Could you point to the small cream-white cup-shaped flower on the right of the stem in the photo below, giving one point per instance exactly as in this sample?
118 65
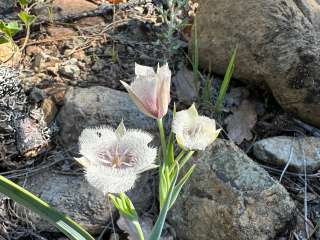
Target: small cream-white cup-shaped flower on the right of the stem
194 132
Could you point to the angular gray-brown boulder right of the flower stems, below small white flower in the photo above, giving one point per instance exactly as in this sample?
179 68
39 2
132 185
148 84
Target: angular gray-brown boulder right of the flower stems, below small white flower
229 197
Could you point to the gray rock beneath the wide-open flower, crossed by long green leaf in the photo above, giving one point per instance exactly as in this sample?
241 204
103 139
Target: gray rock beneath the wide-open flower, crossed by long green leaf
73 196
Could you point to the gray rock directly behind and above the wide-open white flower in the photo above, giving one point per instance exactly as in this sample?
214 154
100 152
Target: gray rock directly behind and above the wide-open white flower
95 106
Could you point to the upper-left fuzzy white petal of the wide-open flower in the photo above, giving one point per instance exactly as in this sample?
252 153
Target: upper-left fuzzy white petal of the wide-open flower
91 140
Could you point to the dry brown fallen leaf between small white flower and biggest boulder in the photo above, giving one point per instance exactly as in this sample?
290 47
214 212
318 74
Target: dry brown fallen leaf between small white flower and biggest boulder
240 123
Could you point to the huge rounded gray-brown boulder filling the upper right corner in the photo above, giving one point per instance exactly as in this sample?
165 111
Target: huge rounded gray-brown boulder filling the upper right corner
278 47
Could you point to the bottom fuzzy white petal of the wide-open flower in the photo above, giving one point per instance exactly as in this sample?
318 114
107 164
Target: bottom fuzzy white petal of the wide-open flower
110 180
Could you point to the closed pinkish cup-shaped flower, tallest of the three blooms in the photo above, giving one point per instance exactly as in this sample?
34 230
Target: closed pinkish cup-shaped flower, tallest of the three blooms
150 90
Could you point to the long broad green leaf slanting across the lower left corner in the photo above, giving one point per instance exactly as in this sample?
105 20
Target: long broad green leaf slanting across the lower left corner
70 228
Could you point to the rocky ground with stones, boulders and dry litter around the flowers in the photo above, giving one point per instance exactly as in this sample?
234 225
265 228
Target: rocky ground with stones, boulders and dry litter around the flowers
260 181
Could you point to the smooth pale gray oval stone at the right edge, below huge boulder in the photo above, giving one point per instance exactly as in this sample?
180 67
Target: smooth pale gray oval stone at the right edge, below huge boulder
301 152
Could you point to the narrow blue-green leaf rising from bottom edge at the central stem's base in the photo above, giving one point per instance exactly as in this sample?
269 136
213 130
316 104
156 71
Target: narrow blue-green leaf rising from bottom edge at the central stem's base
157 228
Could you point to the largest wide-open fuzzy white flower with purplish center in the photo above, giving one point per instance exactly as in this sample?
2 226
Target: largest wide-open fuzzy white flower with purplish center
113 159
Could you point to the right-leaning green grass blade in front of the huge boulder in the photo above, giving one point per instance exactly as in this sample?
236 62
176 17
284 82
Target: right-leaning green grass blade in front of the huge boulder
225 82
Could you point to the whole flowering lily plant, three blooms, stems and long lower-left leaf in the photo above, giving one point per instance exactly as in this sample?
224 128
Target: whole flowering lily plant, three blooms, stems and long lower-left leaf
113 159
